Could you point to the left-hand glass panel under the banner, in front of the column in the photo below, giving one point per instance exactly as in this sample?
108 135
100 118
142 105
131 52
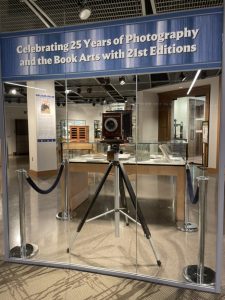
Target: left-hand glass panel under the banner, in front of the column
31 116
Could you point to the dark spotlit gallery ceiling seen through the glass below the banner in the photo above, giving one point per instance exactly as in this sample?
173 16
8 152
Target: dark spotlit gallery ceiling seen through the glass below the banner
105 90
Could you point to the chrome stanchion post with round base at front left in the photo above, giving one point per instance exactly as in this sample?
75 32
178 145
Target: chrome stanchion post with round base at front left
24 250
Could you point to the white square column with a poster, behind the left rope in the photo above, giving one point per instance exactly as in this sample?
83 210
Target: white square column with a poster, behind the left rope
42 126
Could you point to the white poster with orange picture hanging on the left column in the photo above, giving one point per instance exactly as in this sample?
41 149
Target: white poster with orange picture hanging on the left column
46 131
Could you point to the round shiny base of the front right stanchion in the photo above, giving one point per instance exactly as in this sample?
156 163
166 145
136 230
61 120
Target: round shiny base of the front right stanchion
191 274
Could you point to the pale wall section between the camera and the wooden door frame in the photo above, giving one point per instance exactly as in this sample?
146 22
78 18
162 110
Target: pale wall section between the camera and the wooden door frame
147 119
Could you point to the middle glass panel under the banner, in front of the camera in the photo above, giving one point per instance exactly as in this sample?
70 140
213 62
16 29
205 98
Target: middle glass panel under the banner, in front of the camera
101 113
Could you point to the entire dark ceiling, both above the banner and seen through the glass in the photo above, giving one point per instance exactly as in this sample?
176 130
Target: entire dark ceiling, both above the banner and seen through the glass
16 15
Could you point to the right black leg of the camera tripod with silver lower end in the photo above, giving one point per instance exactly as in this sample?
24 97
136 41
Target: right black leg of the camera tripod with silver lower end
139 212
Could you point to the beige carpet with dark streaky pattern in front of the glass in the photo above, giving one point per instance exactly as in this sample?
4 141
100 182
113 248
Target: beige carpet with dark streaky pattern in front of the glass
22 282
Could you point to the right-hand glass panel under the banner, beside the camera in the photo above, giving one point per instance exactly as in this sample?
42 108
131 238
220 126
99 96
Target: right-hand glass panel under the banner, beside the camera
174 135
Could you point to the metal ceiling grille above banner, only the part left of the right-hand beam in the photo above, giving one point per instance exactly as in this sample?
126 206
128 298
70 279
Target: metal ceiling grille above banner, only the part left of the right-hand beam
15 15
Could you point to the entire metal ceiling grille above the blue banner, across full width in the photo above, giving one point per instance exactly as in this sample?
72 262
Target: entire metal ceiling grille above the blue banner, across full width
15 15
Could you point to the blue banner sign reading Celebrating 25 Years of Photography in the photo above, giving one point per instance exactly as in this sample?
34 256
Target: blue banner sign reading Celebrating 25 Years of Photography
150 44
